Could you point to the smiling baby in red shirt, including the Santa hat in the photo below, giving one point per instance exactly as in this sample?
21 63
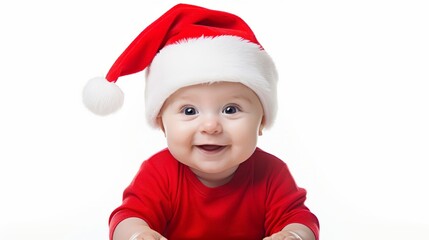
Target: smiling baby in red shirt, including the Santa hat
211 89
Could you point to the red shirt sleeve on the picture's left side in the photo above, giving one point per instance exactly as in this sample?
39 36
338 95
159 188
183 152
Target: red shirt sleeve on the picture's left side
146 198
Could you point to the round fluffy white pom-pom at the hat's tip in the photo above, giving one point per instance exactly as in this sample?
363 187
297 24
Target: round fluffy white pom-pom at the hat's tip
102 97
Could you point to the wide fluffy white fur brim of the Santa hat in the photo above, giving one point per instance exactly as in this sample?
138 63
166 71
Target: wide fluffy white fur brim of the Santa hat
210 60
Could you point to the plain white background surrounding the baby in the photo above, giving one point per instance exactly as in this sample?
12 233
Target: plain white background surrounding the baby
352 125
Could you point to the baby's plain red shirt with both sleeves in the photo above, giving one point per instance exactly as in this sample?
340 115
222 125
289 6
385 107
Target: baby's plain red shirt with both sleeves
260 200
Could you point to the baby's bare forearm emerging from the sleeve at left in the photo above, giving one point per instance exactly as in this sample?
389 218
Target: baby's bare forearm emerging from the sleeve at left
135 229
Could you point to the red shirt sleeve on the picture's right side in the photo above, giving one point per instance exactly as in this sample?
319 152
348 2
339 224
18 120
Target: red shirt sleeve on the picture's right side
285 202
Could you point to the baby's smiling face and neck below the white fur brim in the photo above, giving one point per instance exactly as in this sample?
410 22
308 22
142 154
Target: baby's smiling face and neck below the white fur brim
212 128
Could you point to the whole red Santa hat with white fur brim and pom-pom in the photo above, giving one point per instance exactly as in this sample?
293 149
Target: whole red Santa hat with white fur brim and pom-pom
188 45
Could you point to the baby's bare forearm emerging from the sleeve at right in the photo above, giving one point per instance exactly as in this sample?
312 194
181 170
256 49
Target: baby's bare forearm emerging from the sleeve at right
293 231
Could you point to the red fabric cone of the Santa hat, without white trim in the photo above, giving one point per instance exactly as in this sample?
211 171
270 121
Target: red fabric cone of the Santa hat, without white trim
183 21
